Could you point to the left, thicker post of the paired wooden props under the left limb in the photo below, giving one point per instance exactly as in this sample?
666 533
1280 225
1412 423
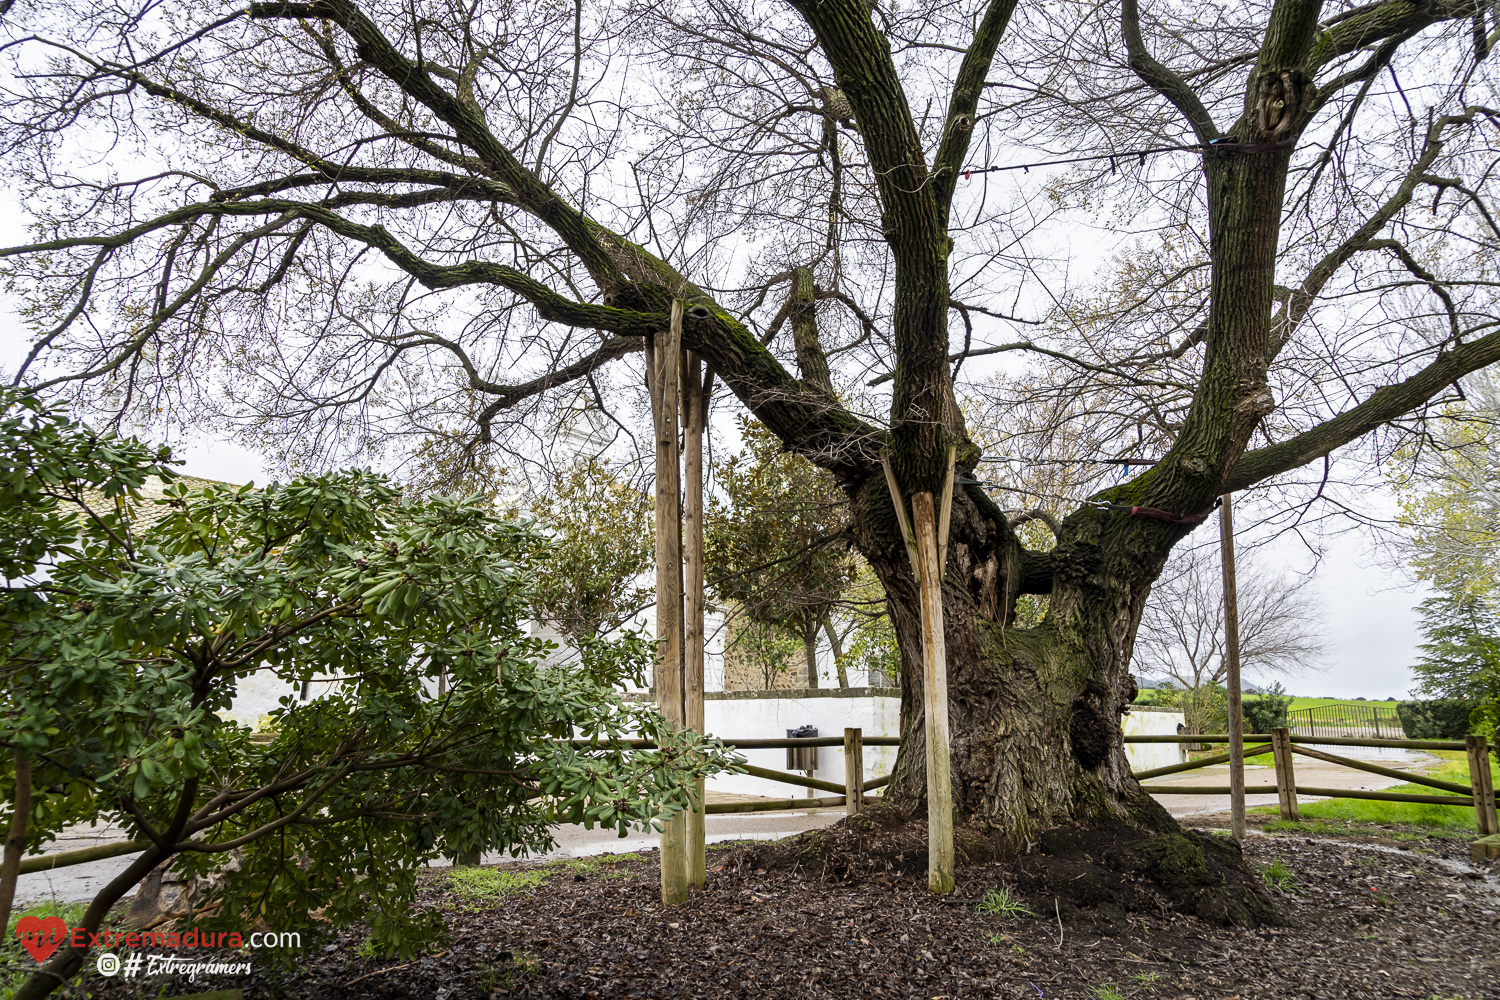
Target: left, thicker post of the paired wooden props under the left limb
664 361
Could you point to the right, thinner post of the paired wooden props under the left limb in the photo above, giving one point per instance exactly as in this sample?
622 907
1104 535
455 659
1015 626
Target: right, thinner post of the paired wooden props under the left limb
694 422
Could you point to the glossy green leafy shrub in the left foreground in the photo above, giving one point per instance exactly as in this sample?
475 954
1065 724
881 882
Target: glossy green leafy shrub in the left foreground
131 620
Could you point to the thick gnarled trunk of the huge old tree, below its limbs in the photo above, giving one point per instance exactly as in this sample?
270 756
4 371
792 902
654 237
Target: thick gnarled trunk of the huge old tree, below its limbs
1034 713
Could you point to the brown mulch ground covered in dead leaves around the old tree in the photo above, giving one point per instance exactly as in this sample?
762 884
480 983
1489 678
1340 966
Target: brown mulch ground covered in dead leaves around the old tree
1364 918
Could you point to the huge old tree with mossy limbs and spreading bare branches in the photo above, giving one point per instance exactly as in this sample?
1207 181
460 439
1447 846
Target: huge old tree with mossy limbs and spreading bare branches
352 223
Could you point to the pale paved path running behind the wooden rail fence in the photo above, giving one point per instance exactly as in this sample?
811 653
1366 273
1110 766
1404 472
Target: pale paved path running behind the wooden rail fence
80 882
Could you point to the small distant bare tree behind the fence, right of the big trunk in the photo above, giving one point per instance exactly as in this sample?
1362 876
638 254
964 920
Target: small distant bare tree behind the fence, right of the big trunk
1183 630
